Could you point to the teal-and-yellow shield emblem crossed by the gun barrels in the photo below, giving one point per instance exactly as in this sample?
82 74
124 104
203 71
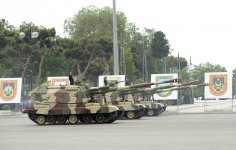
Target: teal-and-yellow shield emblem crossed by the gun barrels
164 78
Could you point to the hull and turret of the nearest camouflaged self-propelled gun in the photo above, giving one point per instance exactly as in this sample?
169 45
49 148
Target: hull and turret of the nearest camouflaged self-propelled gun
59 104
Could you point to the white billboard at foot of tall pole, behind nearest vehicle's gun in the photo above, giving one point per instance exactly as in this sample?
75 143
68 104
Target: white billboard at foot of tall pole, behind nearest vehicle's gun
112 78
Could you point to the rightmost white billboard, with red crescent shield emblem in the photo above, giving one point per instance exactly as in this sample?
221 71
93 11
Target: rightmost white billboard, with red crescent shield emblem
220 85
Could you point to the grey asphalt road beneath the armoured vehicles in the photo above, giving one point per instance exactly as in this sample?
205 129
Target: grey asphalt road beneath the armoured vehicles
166 132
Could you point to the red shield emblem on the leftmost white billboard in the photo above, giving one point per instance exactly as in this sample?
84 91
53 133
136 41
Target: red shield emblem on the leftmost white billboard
8 89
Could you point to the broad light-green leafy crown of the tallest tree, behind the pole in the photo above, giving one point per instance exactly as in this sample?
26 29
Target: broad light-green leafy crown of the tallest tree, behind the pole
92 22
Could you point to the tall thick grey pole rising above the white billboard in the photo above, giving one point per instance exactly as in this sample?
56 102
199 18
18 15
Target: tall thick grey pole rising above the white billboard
115 42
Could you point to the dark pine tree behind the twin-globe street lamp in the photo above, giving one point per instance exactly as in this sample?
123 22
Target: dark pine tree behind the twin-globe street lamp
36 48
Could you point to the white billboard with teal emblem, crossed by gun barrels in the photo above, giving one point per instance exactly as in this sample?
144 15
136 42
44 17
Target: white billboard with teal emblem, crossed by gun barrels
165 95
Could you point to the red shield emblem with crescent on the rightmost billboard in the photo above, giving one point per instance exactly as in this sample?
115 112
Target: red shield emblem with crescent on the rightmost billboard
218 86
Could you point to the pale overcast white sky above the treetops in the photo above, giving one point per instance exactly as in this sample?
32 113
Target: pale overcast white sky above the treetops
204 30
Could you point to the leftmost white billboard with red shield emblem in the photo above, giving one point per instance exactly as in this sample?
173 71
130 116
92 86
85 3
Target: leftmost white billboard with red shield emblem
10 90
